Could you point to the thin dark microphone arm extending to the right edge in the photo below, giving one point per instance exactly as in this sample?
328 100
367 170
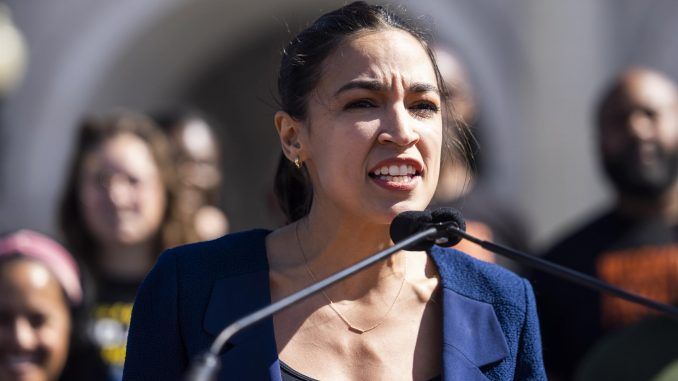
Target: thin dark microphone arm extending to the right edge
564 272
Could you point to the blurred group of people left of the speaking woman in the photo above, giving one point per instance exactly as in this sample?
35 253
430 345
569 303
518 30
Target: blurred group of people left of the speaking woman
136 186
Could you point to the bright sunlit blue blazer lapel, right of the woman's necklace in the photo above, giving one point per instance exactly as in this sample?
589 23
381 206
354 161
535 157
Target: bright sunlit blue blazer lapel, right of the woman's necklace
472 337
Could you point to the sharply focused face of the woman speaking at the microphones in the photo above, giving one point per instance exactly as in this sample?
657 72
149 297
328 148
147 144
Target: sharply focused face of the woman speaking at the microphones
372 139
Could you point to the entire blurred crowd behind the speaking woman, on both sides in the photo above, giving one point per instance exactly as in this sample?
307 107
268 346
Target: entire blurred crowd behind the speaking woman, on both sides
142 182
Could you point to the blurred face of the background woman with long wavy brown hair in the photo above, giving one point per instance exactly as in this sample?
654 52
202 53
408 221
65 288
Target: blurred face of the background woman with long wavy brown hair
121 190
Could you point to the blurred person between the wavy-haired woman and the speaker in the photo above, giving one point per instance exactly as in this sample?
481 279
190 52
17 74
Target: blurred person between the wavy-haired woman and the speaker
196 154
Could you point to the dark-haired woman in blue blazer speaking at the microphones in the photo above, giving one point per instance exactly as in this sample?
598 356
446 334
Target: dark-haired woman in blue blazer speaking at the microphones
362 126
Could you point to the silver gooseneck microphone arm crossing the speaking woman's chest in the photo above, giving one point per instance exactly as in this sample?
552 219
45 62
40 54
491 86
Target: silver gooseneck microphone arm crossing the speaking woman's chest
206 366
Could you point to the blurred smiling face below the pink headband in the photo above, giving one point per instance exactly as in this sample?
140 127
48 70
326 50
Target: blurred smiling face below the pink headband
35 323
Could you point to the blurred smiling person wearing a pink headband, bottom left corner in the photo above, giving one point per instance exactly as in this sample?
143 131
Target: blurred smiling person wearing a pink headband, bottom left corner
40 293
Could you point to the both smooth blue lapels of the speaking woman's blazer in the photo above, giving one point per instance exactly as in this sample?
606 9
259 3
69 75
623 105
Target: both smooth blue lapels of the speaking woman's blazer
472 335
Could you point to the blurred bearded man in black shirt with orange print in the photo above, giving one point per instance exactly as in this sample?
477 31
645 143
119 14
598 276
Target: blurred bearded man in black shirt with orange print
633 243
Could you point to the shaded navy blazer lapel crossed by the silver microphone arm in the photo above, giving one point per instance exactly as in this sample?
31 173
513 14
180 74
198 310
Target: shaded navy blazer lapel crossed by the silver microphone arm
251 354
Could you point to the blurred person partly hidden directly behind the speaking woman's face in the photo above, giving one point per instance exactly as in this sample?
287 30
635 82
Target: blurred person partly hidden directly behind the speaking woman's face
461 184
